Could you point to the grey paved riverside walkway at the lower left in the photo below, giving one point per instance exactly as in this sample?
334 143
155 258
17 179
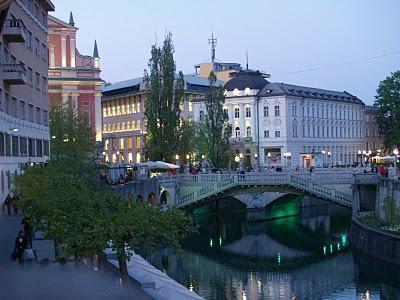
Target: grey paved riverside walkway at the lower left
53 281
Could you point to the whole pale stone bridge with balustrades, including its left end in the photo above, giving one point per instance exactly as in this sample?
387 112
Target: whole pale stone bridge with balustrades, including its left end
186 190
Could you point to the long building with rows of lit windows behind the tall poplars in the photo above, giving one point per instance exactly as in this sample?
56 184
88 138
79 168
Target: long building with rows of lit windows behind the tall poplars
123 116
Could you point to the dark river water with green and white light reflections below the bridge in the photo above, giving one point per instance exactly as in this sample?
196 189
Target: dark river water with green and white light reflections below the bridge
296 248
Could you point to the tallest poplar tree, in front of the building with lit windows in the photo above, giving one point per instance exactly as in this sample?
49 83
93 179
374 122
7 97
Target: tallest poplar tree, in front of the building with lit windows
165 92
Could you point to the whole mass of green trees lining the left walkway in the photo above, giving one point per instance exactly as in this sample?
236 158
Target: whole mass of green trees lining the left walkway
66 201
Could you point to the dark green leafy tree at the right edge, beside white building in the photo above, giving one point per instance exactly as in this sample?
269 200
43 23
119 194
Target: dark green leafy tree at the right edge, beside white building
388 116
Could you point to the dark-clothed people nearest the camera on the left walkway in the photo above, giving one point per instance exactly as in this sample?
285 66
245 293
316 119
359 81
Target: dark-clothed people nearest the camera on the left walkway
23 251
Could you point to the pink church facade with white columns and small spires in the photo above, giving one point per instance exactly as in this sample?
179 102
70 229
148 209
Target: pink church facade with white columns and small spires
73 76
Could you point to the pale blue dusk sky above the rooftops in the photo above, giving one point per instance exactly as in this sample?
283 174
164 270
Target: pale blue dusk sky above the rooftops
280 37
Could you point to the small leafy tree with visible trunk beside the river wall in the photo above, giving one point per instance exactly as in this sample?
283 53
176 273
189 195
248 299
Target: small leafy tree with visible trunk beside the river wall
134 226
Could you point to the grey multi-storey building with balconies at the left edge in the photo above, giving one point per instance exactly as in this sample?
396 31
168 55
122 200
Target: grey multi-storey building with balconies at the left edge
24 119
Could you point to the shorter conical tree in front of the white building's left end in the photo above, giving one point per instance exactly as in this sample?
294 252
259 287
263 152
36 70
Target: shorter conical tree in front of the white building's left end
214 130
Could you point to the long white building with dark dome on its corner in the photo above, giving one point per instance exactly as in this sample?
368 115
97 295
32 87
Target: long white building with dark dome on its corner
282 124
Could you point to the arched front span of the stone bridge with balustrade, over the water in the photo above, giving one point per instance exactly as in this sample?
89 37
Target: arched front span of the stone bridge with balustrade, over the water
195 189
